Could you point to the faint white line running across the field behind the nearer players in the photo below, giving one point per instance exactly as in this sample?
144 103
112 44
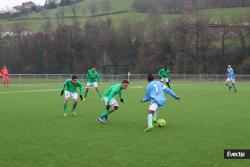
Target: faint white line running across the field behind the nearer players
54 90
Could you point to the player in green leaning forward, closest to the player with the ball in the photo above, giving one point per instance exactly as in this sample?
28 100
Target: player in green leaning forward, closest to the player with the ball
111 103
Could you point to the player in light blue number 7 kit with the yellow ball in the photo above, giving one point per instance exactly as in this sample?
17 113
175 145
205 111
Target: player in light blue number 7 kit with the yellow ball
155 94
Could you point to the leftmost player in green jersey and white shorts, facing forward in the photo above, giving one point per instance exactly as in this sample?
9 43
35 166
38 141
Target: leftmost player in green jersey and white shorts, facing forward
71 85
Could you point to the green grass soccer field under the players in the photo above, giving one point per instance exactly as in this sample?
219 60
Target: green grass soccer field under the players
207 120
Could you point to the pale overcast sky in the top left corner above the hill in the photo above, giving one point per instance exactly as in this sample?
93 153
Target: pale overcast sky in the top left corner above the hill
4 4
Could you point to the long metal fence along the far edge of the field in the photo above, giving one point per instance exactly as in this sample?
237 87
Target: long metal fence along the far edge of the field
46 78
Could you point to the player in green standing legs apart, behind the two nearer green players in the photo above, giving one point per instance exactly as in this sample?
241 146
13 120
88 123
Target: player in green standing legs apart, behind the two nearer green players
93 75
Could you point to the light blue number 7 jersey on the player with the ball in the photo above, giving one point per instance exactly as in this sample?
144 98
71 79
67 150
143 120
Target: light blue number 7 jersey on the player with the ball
155 93
